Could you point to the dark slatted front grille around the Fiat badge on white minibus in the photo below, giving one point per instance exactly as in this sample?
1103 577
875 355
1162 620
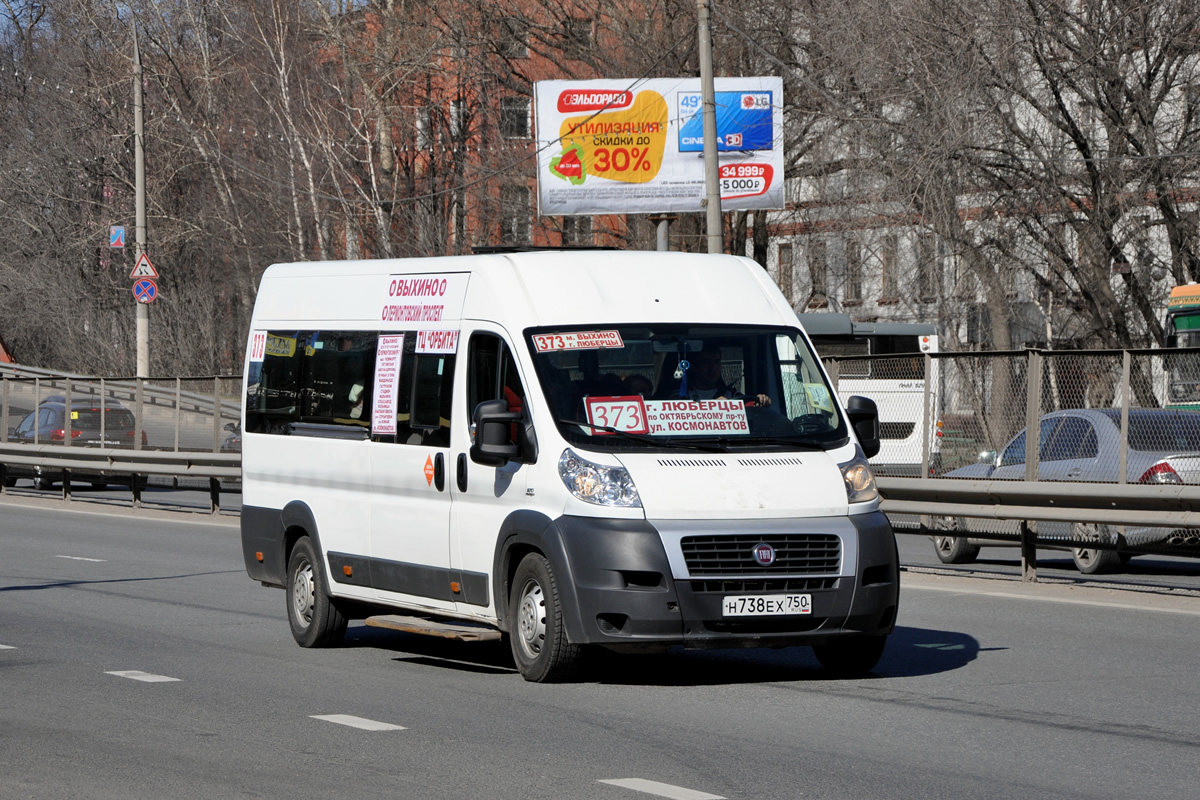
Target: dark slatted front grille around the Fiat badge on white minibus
734 555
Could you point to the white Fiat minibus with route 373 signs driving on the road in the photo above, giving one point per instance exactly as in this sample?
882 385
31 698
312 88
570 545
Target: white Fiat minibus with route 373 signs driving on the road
633 450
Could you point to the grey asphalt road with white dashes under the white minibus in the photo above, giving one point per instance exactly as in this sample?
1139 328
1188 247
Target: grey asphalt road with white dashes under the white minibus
140 661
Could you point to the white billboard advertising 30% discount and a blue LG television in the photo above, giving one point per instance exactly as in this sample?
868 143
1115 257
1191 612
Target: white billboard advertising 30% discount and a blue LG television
637 147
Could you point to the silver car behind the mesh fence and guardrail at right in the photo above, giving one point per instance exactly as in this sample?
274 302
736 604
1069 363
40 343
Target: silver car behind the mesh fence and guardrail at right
1085 446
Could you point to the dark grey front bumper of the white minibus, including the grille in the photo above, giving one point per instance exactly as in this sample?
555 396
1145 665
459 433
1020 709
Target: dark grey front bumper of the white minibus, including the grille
632 586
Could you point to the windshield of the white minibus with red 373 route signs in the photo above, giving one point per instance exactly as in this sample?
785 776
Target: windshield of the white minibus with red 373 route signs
686 387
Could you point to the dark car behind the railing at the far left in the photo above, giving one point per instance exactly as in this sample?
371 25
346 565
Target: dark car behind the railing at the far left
93 423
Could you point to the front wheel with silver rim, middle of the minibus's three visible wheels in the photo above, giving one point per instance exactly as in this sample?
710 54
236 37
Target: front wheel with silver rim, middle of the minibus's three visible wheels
541 648
